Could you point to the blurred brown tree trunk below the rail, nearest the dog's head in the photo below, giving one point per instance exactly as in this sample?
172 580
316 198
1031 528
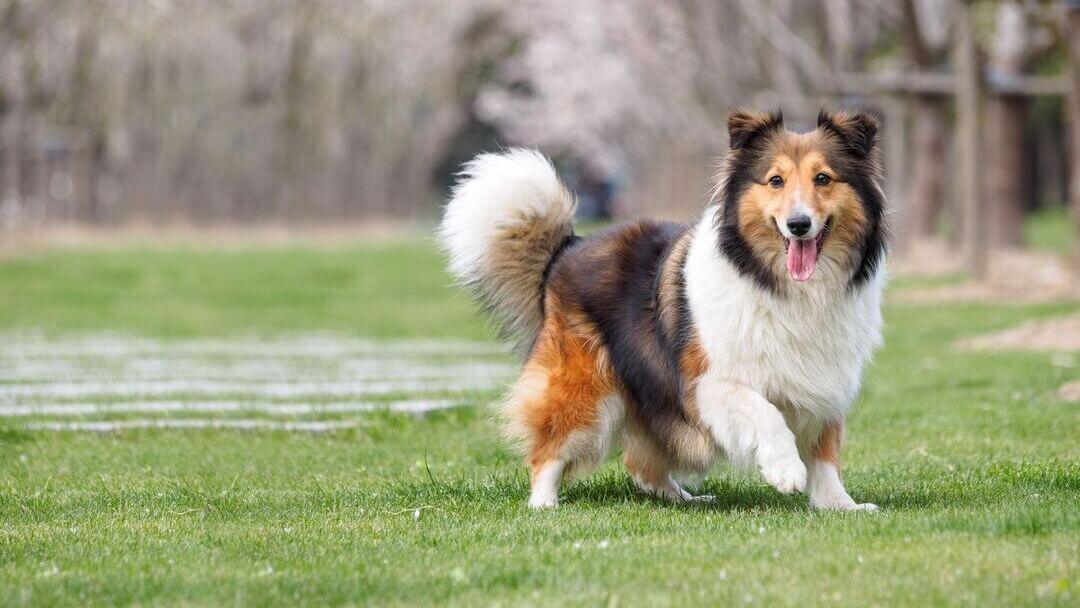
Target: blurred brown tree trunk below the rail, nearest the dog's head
927 197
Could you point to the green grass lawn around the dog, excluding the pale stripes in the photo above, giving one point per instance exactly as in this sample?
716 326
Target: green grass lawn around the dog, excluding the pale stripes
975 464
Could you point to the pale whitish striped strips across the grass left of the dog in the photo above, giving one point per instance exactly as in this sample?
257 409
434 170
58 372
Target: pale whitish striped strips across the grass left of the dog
295 376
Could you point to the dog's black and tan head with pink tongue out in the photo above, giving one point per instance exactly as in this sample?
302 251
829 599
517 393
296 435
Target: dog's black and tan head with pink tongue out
803 208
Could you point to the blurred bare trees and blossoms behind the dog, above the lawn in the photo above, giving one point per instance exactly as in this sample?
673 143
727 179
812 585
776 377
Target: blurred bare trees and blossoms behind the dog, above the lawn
301 114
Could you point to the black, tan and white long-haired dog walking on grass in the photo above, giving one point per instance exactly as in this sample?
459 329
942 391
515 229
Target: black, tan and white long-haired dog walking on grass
742 335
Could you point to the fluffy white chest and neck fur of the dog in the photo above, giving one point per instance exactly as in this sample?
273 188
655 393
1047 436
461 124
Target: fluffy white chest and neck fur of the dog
804 353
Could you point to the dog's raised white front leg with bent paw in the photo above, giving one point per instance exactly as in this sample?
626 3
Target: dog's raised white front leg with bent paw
752 431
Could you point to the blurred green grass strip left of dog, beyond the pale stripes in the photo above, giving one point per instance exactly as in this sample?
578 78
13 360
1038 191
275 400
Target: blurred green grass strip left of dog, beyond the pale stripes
391 290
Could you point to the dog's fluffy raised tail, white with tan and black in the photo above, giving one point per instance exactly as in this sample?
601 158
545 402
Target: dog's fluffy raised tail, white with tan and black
508 217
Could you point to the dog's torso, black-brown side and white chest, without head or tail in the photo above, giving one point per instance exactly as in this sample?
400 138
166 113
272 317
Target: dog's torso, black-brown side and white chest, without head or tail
666 307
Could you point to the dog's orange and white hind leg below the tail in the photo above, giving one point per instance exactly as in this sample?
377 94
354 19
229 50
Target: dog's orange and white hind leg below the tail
565 408
